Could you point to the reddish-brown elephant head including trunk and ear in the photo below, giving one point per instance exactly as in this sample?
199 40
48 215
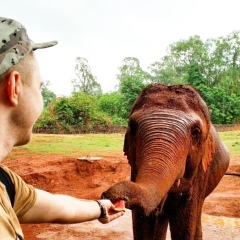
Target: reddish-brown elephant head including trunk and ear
168 139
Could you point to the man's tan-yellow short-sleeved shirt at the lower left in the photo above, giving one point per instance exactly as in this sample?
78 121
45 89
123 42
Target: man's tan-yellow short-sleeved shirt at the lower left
25 198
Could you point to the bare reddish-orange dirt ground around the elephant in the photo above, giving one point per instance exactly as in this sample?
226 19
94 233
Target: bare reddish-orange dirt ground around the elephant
84 179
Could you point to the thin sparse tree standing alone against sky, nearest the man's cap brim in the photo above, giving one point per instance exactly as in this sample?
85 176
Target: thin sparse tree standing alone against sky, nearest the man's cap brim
85 80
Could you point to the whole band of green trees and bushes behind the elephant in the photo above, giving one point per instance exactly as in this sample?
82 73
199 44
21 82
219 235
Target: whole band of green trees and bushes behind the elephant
211 66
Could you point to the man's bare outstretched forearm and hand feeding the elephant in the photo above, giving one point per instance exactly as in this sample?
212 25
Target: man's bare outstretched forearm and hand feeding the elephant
57 208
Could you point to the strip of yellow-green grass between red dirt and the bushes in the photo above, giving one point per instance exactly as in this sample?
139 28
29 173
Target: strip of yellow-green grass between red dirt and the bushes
69 145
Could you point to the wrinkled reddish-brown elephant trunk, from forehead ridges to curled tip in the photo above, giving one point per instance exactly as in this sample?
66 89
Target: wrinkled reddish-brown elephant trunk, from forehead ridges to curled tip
158 161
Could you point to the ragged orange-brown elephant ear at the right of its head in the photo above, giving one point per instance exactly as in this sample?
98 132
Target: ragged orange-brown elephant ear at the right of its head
208 151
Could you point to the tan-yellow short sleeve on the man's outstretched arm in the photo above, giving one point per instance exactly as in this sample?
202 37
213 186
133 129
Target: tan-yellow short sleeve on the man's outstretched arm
25 195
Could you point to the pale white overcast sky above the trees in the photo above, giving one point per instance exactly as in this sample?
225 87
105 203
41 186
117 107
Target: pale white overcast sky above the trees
107 31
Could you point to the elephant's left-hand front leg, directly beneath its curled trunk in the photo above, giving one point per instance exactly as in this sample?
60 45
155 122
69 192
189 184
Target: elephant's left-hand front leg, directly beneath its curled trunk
149 228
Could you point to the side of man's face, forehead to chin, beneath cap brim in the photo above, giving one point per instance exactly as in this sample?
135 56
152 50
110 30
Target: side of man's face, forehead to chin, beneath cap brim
30 102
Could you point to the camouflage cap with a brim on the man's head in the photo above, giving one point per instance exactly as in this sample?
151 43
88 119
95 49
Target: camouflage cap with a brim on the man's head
15 43
